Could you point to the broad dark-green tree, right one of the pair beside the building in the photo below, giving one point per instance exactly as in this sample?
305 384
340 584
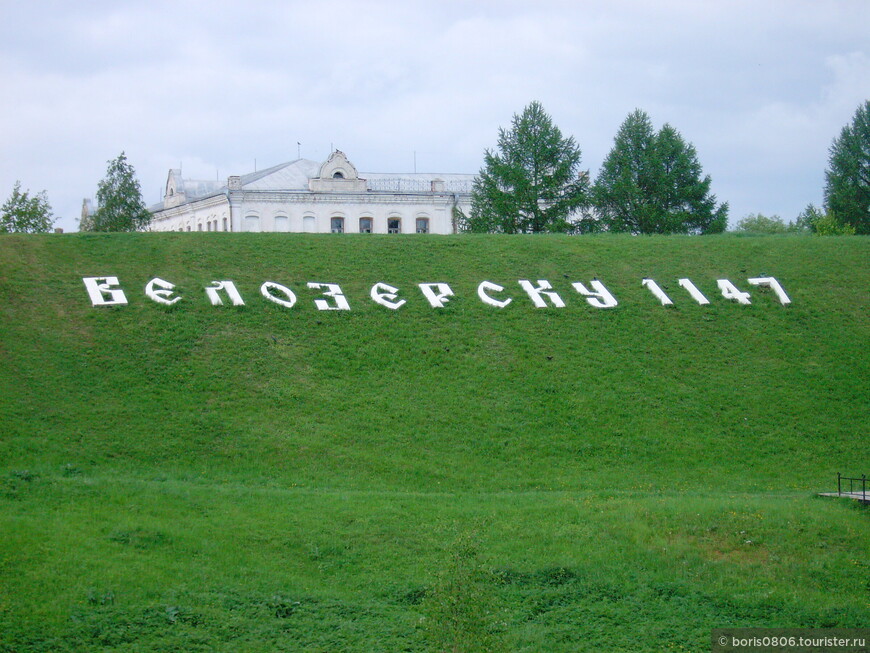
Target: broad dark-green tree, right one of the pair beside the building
651 183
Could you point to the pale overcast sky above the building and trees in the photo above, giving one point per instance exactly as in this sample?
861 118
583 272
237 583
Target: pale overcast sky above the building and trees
761 87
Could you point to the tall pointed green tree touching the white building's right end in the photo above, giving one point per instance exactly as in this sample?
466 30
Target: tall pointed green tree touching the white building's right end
533 183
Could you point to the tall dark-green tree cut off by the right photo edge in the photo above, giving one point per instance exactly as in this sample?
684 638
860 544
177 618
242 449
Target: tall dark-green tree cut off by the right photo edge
847 179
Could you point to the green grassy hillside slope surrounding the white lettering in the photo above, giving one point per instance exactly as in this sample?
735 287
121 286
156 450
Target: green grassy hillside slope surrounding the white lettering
261 478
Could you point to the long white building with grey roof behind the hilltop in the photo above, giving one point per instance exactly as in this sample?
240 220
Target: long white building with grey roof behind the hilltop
307 196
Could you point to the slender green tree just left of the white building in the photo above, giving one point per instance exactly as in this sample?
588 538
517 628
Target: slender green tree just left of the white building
119 199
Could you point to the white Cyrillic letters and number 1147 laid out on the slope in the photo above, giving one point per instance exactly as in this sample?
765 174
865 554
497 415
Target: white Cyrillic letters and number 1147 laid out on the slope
106 291
